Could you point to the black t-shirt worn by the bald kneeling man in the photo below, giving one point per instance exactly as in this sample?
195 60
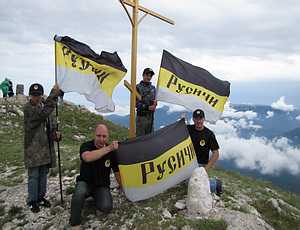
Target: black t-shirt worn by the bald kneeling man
96 173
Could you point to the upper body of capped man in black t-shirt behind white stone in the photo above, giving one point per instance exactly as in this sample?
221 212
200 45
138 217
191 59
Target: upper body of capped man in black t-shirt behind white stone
204 140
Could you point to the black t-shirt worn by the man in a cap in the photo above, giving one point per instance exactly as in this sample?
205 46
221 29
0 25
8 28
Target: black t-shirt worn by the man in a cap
203 142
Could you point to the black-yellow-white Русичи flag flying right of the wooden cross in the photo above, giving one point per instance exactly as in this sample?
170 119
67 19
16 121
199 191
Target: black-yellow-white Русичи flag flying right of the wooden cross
184 84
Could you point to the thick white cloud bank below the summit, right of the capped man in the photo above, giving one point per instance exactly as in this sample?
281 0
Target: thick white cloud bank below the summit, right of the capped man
256 153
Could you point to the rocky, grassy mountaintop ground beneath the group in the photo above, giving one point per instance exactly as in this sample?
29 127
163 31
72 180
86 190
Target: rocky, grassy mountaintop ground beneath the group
245 204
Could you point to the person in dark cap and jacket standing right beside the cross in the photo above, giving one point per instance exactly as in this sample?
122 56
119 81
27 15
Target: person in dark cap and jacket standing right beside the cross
146 106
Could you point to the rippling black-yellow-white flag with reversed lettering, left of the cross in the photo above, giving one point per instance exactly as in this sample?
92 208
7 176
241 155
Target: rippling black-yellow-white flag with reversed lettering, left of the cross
81 70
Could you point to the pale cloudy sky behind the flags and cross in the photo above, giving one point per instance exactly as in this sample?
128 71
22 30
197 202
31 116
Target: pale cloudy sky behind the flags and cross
253 44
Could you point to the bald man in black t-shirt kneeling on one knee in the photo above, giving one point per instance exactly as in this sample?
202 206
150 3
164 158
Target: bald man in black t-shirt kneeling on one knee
97 159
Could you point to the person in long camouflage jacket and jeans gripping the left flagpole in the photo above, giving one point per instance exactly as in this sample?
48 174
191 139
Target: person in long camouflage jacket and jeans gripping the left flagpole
39 137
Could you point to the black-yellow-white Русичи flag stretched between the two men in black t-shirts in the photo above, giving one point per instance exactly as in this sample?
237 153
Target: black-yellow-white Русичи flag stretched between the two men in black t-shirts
153 163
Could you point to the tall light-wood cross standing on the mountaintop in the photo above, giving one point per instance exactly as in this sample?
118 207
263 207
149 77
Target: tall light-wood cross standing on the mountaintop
134 23
